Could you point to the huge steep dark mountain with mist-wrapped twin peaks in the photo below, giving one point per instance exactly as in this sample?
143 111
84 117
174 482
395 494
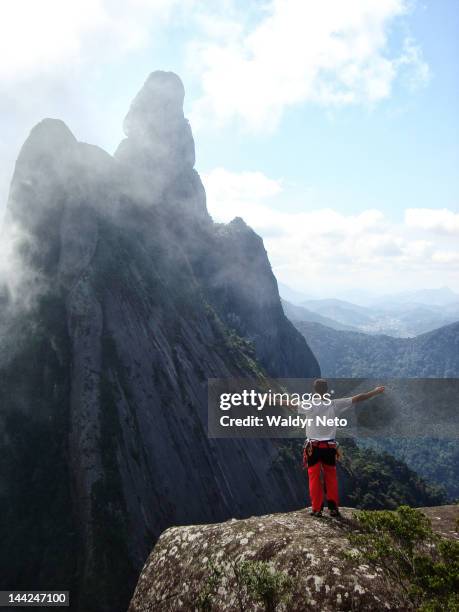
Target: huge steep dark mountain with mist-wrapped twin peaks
134 299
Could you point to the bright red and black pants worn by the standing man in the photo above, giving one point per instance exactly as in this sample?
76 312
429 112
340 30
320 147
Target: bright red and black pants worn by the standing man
322 459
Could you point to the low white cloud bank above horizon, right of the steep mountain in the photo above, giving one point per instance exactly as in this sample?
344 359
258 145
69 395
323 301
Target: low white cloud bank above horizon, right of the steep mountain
344 250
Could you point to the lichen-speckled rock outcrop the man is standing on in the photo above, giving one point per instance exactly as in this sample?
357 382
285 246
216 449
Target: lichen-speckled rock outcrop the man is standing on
311 551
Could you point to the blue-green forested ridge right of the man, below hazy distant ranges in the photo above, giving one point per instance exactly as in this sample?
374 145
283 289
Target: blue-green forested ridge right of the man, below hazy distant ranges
343 354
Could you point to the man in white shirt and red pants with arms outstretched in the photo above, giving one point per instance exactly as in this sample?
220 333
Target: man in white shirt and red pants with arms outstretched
321 448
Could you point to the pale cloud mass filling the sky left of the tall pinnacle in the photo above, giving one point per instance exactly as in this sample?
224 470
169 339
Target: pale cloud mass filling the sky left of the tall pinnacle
74 59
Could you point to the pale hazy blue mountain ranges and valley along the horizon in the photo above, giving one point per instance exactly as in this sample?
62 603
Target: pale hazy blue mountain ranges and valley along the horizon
400 317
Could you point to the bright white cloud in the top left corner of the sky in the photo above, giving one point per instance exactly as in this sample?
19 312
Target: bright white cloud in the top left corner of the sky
38 37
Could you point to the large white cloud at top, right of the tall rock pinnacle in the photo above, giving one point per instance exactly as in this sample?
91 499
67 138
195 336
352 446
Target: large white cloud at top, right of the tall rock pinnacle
331 53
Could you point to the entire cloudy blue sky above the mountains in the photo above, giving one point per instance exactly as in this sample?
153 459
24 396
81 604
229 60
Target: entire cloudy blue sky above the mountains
331 127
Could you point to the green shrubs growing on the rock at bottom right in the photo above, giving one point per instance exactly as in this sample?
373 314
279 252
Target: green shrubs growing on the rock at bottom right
421 567
